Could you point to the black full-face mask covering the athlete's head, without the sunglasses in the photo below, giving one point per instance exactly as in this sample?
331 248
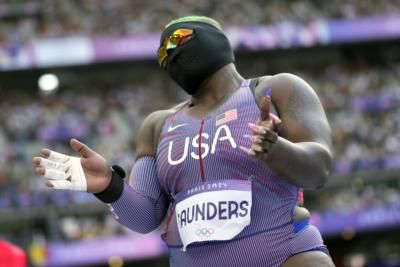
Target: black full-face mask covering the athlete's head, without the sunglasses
196 60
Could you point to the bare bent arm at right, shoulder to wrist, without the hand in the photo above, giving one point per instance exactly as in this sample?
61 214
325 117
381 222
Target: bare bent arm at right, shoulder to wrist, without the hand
302 152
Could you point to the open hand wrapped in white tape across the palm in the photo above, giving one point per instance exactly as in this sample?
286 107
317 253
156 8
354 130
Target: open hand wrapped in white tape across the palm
89 172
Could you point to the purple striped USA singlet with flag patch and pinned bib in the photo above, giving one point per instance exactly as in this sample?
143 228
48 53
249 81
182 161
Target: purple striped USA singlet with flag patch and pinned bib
227 208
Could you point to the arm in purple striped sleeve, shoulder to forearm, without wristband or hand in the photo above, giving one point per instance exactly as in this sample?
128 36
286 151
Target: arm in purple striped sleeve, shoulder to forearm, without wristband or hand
142 205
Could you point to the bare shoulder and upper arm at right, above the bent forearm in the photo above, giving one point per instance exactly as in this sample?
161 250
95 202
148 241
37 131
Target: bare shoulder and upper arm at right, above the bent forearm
298 106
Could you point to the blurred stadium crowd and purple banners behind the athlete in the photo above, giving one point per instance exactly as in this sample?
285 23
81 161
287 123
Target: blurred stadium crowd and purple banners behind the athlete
87 69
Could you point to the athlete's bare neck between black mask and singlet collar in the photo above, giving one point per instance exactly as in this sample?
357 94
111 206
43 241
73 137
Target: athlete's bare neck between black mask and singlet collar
216 88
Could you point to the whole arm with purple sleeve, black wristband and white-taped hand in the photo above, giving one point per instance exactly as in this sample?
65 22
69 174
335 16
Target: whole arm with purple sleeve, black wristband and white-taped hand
138 204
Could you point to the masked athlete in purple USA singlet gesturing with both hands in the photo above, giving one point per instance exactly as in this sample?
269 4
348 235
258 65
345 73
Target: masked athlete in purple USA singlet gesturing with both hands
224 168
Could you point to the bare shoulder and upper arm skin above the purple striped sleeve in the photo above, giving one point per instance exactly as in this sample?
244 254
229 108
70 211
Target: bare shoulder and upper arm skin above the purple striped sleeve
149 132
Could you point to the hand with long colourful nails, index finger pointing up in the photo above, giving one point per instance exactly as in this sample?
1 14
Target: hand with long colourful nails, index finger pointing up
265 130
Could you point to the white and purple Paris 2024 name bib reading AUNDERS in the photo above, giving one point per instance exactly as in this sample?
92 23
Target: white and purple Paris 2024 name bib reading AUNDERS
217 210
